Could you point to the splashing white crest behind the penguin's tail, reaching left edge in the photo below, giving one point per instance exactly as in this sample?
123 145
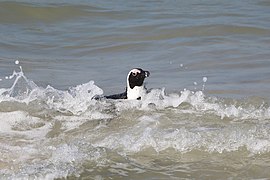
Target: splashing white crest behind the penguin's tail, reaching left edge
76 99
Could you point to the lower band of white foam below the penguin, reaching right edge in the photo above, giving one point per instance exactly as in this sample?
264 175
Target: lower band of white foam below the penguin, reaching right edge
149 134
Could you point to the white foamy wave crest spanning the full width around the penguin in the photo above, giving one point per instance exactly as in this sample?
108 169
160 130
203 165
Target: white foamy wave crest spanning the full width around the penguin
79 99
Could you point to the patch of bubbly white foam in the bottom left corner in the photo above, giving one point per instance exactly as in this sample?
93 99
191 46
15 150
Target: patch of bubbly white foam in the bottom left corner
61 160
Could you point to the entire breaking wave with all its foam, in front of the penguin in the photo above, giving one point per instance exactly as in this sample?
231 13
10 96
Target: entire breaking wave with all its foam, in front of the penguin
51 133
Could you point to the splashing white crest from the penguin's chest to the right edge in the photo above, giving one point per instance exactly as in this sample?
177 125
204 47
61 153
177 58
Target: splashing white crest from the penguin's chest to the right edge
200 103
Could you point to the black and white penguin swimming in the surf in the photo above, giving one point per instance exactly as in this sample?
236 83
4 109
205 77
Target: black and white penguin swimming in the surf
135 85
